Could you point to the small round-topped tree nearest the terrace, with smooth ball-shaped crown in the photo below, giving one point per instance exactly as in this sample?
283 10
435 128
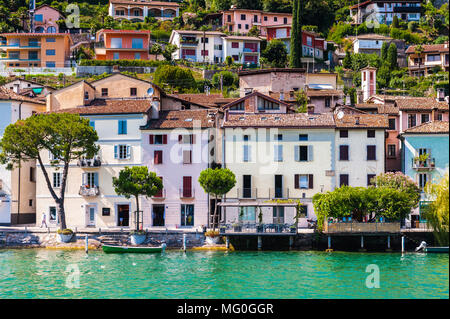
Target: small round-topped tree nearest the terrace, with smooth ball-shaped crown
217 182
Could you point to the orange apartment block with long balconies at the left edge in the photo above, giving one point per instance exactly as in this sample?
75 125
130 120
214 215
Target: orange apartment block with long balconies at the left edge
46 50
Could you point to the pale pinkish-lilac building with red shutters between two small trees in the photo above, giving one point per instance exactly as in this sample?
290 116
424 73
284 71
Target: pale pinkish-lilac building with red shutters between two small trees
175 146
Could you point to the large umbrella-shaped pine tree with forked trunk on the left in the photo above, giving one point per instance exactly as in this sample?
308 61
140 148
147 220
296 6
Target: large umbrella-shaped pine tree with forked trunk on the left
67 137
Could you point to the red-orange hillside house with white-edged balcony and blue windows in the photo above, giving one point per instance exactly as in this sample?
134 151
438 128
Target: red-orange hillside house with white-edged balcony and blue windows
122 44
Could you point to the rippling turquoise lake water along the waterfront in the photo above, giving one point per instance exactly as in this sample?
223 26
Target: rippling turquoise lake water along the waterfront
40 273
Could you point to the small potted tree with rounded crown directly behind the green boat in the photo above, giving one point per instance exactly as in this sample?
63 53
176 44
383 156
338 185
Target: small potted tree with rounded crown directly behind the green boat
137 181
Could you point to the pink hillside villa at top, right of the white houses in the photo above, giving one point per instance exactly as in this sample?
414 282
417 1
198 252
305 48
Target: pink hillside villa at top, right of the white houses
242 20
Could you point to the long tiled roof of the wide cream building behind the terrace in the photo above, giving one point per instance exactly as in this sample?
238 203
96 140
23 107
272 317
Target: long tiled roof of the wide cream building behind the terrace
294 120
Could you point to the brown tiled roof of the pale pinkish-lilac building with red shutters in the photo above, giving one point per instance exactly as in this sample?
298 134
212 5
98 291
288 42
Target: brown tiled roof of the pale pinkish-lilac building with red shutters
182 119
